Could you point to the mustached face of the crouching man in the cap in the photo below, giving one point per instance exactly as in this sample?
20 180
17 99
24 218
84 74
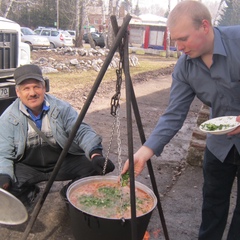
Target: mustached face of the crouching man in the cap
31 92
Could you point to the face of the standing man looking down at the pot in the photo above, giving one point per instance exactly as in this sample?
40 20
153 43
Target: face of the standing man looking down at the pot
193 42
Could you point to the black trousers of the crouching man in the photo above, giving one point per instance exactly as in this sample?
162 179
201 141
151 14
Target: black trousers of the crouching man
73 168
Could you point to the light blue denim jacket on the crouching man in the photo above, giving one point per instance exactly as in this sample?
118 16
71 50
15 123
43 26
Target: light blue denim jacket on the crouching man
62 117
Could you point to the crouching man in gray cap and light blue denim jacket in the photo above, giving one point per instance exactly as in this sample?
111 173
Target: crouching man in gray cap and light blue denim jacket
28 157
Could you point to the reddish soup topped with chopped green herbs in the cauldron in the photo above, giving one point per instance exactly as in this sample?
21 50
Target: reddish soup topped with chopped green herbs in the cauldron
109 200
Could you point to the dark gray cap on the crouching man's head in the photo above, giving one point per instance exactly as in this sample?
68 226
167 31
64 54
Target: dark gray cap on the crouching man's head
28 71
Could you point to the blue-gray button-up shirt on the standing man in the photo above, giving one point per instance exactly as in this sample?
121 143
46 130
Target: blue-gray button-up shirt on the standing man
217 87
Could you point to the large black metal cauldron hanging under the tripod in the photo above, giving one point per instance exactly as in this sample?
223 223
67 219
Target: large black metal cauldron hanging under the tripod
90 227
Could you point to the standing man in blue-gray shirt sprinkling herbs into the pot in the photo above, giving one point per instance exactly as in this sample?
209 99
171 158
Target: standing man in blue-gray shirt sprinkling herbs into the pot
209 68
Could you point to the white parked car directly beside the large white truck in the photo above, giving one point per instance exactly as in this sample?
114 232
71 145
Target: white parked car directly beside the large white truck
35 41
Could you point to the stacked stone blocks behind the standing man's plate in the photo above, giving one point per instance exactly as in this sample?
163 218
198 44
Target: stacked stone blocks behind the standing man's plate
198 140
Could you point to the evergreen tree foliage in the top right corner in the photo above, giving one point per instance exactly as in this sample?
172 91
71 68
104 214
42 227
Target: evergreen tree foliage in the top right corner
230 14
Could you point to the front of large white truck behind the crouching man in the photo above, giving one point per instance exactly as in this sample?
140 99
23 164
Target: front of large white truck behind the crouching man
13 54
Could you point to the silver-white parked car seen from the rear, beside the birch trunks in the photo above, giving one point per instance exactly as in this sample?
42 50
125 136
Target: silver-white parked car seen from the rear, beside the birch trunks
57 38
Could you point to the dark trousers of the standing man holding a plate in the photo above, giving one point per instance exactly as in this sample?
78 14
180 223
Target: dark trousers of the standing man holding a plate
218 182
